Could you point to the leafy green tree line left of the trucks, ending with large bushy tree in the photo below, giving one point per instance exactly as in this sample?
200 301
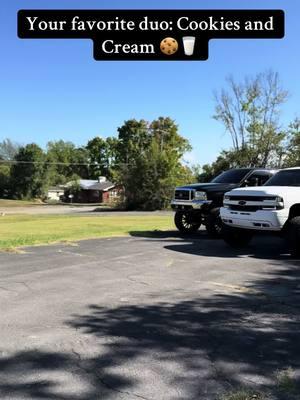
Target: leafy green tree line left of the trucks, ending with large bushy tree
145 158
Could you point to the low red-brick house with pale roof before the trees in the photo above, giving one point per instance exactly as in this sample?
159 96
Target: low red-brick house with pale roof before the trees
96 191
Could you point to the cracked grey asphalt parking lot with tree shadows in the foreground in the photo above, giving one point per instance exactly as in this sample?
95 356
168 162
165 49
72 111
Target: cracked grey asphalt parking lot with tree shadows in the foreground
159 317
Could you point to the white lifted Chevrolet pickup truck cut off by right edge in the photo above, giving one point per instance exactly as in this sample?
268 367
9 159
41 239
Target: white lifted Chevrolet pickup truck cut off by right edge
274 207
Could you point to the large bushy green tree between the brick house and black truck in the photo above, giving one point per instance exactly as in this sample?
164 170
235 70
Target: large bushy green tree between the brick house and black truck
155 164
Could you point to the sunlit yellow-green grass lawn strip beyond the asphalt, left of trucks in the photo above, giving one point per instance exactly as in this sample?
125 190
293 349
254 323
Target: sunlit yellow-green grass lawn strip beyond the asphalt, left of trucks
25 230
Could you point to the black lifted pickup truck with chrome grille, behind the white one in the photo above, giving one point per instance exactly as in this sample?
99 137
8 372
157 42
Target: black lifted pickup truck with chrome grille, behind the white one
200 203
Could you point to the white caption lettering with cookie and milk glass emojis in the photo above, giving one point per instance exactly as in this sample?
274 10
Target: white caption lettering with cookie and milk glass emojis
168 45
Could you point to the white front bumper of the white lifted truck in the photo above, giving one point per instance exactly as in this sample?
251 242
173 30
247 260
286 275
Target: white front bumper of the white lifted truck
259 220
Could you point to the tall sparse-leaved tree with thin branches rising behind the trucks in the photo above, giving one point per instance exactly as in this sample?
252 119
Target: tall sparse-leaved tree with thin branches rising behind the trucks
250 113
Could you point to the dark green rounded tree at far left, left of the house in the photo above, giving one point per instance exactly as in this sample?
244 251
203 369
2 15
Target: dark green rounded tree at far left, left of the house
29 175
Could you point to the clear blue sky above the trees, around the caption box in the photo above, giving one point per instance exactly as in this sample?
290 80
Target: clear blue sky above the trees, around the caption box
53 89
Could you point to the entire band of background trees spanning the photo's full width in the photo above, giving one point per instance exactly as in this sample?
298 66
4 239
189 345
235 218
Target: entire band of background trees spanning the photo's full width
146 158
